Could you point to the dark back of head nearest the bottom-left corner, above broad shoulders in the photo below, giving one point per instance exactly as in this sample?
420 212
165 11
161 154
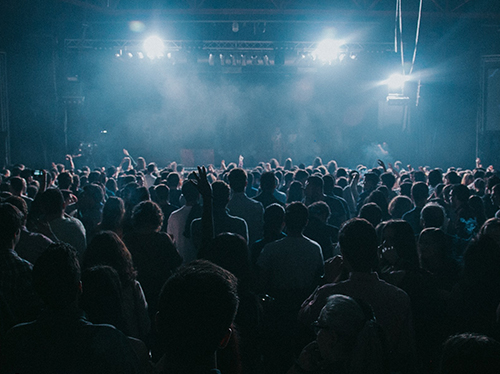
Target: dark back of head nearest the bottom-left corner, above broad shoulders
56 276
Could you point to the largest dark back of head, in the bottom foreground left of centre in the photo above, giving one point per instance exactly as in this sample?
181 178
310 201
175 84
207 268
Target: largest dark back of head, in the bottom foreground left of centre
196 308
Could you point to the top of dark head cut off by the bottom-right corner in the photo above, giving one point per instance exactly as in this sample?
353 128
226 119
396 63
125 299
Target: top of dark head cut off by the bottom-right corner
470 354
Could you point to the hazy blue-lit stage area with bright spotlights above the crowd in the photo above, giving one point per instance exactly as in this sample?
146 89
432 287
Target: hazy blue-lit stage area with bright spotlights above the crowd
350 80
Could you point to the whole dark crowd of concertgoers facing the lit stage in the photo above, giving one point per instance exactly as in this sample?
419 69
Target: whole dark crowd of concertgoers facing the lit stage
236 270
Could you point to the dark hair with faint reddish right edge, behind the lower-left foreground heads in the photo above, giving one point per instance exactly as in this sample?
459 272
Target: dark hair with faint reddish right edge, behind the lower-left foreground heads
106 248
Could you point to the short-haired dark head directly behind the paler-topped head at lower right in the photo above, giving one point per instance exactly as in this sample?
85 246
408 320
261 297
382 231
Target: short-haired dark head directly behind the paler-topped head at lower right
358 244
